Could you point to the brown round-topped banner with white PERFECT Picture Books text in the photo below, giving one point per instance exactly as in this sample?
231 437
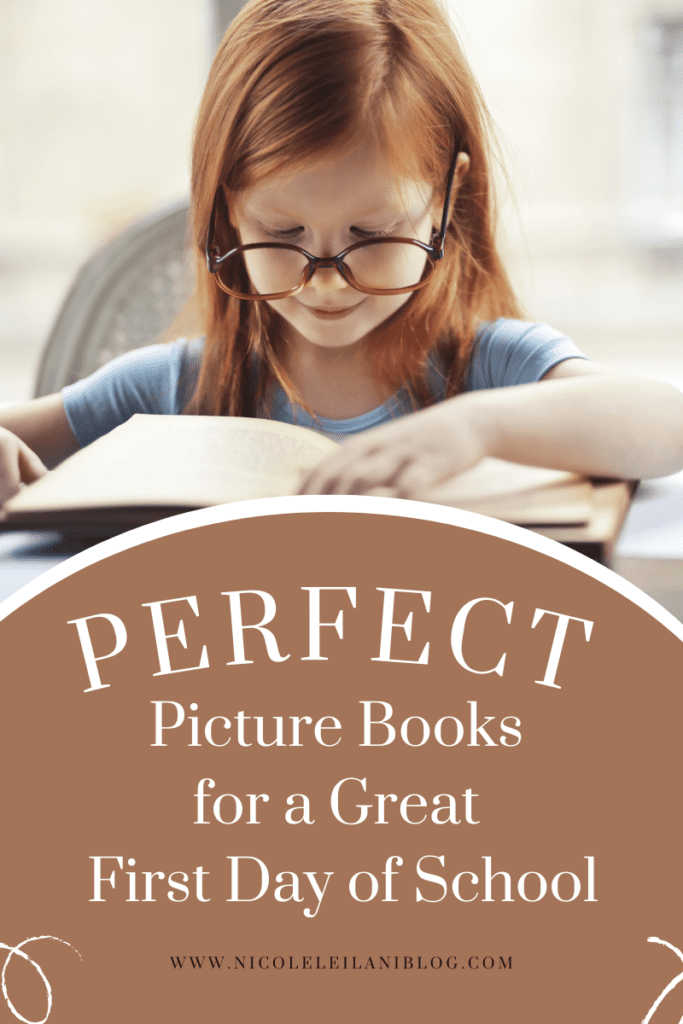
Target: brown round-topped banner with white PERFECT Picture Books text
337 765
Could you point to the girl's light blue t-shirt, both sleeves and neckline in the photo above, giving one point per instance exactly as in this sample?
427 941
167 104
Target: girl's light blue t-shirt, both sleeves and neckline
162 379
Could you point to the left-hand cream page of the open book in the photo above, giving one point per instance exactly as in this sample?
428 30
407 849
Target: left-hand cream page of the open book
180 460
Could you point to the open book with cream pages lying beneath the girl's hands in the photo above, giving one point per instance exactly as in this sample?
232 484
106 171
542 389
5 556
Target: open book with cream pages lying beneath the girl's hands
156 466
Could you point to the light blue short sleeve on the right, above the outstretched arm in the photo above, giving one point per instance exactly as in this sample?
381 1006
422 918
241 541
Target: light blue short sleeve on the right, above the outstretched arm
509 353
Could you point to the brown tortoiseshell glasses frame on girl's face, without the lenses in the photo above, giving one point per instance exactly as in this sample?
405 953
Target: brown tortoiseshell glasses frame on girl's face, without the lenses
435 252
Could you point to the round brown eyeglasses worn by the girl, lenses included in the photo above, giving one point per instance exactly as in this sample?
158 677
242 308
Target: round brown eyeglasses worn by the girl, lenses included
376 267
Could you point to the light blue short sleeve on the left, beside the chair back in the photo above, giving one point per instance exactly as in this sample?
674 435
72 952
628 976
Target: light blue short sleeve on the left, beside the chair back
159 379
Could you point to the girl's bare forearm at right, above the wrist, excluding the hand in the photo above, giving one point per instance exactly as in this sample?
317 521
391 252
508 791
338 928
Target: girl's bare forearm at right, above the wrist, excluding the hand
600 425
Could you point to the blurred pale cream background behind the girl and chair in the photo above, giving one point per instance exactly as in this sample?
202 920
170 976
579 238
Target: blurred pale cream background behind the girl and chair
98 101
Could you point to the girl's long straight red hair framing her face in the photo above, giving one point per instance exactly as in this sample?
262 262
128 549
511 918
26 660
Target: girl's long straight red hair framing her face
294 80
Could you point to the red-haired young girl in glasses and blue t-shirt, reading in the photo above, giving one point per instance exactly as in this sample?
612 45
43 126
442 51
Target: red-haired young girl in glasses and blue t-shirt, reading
349 278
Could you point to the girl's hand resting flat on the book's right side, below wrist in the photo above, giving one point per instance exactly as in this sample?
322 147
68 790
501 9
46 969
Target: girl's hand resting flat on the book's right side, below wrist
404 459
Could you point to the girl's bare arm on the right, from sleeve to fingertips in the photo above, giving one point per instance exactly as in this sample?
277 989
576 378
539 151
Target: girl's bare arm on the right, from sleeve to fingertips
581 417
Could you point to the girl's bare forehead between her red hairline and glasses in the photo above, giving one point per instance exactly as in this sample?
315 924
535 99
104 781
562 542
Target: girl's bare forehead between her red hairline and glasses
357 180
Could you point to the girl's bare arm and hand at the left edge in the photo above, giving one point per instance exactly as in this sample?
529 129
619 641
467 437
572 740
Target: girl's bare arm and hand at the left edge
32 434
